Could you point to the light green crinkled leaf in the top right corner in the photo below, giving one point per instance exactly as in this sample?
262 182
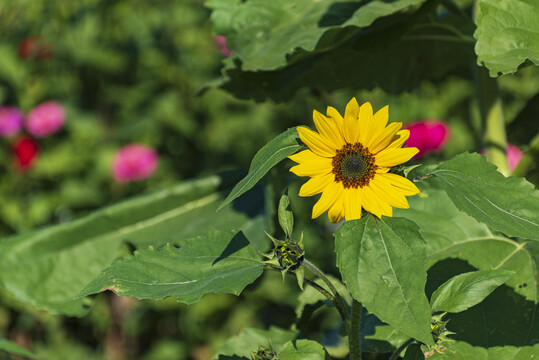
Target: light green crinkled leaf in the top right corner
507 35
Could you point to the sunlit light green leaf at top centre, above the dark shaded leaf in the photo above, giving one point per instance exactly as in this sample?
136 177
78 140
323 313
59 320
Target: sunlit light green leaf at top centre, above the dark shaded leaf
264 33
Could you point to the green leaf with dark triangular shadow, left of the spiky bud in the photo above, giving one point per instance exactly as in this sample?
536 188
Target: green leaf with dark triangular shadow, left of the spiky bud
218 262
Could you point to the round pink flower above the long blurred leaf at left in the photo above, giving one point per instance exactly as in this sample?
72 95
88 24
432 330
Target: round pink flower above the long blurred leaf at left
134 162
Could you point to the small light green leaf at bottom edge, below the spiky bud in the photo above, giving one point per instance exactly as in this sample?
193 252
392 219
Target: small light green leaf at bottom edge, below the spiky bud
249 339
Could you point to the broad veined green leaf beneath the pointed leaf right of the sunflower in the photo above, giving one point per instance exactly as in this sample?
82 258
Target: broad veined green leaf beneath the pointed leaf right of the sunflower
449 232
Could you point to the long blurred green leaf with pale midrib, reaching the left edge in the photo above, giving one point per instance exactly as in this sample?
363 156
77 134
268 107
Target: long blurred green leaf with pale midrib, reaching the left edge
47 268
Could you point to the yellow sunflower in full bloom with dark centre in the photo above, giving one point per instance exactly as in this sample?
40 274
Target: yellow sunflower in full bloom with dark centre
349 159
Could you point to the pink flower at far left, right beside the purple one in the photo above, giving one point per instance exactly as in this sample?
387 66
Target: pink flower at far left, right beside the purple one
45 119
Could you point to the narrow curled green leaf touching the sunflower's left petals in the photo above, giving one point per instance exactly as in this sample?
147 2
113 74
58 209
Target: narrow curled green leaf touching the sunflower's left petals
270 155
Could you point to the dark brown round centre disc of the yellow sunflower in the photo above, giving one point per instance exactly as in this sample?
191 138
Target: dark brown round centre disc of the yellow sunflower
354 166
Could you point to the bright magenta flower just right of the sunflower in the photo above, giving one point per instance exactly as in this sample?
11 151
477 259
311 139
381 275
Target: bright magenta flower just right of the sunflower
427 135
